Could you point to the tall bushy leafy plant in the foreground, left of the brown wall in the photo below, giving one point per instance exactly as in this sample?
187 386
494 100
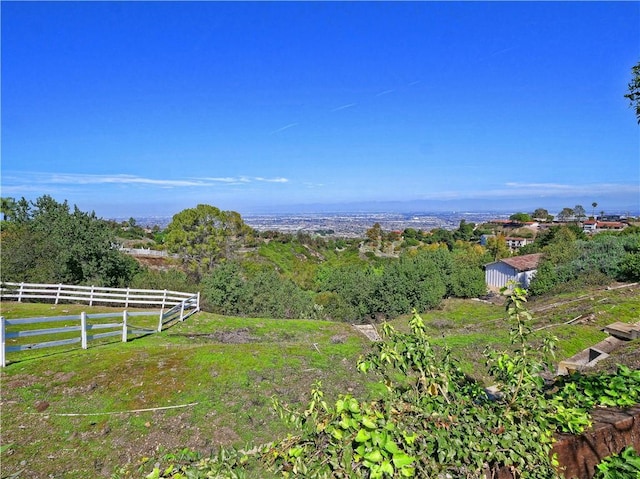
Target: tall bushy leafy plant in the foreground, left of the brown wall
433 420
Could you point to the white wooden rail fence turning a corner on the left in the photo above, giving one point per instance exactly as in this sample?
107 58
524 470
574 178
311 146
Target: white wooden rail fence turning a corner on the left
183 306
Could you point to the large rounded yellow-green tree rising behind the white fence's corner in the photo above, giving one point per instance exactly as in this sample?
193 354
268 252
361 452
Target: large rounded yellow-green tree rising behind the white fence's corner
204 235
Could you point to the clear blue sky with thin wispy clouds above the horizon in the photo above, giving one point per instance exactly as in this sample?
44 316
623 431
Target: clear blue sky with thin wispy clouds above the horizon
147 108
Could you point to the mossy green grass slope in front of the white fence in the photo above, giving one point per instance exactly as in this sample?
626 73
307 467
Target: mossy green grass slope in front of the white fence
204 383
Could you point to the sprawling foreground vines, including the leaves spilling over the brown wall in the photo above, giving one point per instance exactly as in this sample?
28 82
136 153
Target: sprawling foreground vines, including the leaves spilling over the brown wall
434 421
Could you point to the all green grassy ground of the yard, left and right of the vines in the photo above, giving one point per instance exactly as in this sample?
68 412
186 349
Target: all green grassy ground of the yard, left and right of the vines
73 413
